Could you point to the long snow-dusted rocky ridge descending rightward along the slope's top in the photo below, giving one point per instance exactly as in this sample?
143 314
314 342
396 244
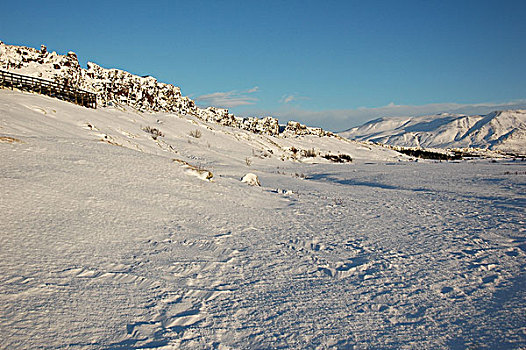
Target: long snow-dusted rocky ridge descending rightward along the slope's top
146 94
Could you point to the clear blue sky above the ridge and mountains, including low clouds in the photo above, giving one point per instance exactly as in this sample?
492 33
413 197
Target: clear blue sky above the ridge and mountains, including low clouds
334 64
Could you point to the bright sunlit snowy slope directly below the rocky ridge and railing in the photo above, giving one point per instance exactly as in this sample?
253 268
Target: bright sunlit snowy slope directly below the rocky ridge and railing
173 135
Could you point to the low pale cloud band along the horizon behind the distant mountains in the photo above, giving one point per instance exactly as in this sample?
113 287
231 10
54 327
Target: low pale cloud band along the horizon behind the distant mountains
339 120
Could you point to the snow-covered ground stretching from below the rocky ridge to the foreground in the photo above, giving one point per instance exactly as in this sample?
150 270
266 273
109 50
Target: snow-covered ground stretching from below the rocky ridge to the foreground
106 242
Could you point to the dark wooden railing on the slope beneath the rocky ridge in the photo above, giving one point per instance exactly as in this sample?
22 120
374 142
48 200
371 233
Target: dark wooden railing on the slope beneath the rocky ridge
49 88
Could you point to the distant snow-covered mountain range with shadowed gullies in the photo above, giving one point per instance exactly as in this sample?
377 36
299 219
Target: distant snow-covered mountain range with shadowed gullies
501 130
